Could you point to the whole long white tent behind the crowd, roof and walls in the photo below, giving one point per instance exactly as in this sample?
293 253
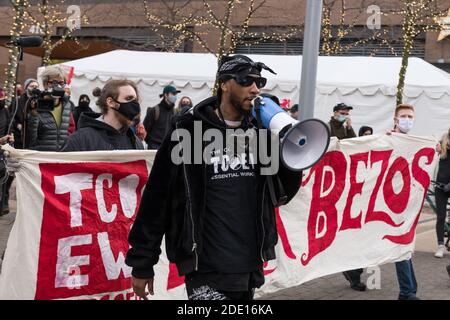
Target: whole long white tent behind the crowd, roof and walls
366 83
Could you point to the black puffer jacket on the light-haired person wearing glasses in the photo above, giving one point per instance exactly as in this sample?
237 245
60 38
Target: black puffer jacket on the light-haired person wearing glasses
43 134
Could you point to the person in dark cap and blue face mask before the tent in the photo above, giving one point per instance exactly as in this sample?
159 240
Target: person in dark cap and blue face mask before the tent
157 119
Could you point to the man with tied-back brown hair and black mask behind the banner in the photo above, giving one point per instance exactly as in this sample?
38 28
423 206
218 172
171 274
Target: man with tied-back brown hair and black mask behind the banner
109 130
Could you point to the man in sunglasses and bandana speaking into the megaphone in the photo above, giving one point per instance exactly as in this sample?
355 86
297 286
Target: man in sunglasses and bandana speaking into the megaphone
217 214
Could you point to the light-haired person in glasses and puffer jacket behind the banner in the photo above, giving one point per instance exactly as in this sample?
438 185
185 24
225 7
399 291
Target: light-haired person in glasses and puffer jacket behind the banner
50 116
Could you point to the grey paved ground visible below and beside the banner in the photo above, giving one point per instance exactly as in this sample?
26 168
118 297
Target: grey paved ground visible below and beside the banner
431 275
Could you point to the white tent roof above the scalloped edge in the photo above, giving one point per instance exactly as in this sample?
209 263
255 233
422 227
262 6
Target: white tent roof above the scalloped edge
347 73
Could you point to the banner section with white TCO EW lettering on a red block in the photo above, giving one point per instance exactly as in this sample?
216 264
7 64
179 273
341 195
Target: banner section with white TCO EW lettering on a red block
74 213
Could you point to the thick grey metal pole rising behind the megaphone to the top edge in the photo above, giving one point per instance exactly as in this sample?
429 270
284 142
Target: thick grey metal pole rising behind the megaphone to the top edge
311 43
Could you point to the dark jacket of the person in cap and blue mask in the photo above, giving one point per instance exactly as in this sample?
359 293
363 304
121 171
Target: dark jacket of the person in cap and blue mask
157 129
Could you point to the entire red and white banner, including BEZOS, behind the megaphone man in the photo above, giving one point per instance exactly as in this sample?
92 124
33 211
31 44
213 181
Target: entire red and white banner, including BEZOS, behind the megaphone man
358 207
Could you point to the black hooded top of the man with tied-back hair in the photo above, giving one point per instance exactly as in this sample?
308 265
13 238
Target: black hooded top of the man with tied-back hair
95 135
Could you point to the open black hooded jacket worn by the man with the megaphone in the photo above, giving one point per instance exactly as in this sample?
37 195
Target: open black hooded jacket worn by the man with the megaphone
173 204
